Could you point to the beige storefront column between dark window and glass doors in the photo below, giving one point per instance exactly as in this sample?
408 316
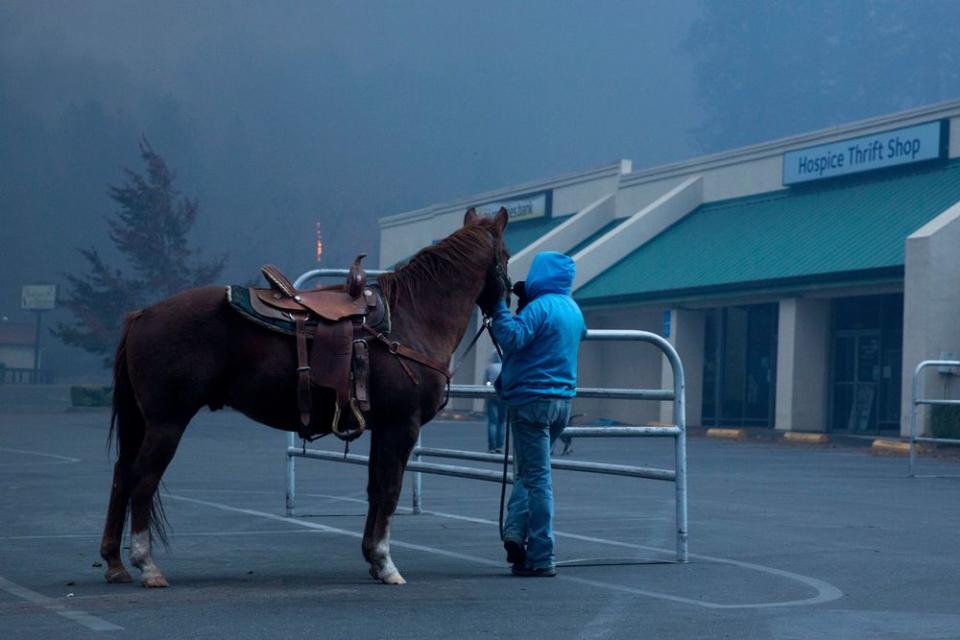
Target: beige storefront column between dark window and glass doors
803 358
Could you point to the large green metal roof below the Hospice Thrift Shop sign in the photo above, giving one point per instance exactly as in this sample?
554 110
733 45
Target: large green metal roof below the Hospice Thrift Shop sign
843 231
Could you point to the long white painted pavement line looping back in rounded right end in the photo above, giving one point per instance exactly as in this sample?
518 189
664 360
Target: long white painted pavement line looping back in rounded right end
825 591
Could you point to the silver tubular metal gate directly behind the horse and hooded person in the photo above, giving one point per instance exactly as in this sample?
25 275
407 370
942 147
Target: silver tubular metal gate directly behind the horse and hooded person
676 431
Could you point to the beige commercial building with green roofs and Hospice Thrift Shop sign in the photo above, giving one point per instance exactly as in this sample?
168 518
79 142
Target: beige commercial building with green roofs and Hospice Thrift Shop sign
801 280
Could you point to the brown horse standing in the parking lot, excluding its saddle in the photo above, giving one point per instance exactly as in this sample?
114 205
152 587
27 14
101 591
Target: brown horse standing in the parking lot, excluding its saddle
191 350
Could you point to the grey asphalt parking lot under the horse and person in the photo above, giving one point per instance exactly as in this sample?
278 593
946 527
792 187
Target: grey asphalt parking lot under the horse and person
786 542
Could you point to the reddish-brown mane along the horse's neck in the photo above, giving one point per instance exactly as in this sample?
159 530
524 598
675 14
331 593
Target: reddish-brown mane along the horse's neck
469 246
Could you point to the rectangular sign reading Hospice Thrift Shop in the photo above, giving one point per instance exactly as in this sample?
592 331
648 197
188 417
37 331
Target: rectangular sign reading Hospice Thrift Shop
877 151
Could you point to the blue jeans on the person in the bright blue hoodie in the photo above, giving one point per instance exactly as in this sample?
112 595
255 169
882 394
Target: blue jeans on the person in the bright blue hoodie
529 520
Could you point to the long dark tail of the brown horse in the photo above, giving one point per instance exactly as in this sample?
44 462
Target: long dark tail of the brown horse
127 426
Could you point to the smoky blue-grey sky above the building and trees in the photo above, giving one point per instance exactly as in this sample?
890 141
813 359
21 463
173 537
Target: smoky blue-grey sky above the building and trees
277 115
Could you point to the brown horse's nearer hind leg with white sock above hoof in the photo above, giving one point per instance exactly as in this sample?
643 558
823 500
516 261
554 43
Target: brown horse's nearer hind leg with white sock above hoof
159 445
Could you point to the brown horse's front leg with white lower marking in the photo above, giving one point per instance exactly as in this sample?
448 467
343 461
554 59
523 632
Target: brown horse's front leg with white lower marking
389 450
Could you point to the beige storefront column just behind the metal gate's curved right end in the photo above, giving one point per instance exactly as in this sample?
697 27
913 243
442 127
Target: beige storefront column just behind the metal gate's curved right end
687 337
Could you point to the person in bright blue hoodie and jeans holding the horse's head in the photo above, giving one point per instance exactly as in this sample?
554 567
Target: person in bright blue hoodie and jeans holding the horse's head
537 381
